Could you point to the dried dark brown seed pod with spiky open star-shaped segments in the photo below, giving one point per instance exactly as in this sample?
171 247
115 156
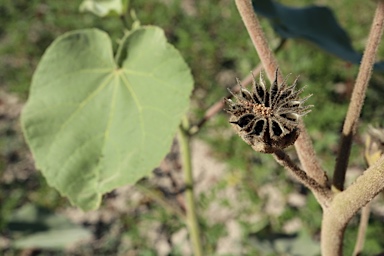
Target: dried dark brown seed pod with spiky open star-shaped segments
267 119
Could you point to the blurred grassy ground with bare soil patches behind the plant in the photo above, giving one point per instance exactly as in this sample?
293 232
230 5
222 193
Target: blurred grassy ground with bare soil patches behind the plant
247 204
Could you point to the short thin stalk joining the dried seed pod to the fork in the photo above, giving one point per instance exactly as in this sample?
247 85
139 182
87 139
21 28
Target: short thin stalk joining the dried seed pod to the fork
322 193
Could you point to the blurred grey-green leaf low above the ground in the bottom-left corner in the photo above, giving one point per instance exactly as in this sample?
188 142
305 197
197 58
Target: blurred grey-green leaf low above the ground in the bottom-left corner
41 228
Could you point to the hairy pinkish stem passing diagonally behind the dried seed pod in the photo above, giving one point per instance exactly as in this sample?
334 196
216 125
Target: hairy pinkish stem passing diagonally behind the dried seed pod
303 145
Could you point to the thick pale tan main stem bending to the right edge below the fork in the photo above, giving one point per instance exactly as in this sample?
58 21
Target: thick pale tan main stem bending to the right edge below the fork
346 204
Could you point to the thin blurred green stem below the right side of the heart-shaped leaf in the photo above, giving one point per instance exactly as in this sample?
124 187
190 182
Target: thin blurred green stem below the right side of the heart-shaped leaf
191 218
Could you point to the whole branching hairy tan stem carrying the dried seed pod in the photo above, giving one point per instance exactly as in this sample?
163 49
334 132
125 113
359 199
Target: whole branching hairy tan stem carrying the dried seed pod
338 209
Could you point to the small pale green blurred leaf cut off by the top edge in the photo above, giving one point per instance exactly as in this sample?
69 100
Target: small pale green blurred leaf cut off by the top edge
103 8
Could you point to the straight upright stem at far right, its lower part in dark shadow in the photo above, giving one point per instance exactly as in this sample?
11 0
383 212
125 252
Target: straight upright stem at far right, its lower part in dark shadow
358 96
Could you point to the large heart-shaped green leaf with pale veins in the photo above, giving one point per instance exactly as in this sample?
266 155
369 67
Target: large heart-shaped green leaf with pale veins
93 126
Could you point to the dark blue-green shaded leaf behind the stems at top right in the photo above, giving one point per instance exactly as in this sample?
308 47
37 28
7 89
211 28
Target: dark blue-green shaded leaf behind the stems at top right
314 23
